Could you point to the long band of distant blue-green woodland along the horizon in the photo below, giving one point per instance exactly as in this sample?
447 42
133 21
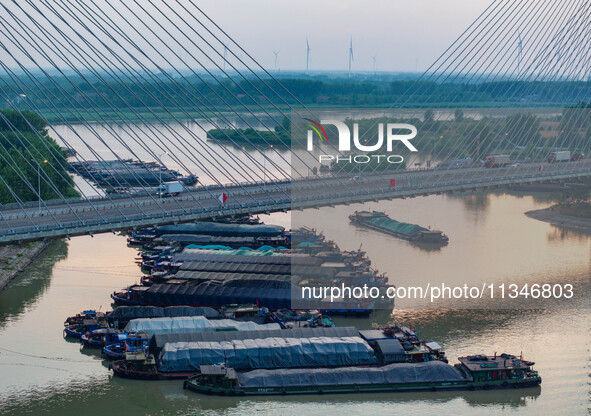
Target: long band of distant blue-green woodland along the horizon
92 100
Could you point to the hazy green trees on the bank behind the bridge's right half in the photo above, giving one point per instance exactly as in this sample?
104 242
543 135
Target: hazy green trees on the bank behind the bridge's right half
518 134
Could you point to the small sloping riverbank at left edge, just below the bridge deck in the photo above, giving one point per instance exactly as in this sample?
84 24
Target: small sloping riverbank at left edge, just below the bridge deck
14 259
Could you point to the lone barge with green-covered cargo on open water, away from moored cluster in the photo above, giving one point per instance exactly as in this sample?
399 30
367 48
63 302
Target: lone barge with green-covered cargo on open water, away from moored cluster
379 221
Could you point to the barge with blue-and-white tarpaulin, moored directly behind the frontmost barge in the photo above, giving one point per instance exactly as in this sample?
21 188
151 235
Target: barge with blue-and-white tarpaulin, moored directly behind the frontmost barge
177 356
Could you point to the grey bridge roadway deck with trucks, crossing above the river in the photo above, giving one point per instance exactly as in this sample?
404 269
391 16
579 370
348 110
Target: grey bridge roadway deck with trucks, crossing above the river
104 215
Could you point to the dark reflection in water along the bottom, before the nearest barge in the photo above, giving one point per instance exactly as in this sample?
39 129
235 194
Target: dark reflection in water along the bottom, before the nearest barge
169 398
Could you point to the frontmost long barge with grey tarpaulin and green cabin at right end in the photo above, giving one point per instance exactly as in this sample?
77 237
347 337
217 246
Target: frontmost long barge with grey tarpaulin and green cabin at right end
472 373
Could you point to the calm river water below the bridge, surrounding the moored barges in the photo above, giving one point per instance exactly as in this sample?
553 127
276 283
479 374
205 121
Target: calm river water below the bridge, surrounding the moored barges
490 240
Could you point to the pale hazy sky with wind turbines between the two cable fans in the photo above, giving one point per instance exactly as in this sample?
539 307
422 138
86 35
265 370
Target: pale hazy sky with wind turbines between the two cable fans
397 32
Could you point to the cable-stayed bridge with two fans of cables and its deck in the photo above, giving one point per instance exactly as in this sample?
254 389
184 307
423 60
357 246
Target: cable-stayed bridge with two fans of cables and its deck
140 70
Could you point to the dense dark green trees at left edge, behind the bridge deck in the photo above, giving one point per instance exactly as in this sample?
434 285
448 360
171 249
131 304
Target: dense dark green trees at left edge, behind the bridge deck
27 152
